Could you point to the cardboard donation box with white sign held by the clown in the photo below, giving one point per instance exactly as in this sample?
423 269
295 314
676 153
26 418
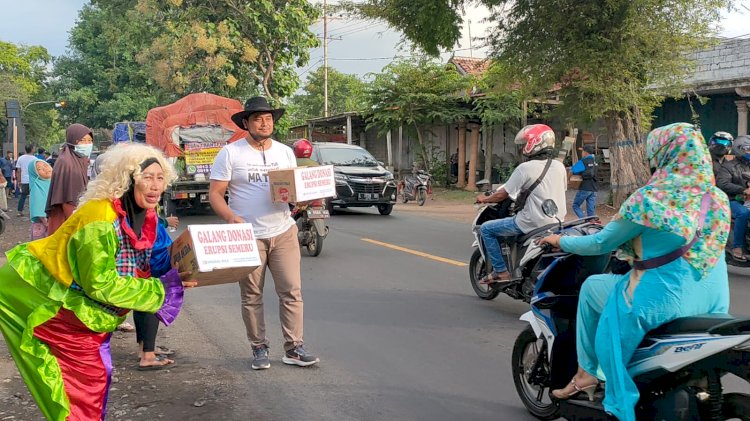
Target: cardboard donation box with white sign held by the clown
216 253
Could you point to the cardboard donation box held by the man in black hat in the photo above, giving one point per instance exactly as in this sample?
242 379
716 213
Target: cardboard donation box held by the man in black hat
302 184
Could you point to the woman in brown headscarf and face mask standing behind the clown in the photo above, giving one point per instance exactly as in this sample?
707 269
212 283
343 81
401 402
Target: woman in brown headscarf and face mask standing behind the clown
69 179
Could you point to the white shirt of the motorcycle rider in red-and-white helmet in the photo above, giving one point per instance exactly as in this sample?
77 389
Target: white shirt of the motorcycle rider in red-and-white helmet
552 186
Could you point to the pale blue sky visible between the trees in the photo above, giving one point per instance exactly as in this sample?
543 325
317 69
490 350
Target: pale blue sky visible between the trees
364 47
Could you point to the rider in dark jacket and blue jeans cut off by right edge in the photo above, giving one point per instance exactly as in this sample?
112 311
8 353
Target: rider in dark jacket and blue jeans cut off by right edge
734 178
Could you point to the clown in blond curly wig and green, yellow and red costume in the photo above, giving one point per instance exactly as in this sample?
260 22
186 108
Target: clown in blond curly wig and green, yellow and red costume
63 295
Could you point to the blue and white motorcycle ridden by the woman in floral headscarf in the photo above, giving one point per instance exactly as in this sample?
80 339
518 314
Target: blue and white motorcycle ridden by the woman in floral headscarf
677 368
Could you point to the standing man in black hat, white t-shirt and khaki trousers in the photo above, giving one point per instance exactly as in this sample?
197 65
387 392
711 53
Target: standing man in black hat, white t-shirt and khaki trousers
242 167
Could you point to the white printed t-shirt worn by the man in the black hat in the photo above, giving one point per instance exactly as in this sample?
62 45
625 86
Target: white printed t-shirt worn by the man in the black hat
246 169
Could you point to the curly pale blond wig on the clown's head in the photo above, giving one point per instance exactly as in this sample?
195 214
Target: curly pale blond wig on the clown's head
119 166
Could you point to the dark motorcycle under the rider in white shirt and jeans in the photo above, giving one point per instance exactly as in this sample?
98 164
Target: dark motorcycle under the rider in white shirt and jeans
518 253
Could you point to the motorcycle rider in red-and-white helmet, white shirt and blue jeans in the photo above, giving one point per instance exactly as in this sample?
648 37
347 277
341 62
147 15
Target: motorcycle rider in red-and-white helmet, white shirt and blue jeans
538 142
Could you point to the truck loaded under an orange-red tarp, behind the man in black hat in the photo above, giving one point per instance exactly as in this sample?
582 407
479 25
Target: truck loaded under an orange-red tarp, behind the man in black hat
191 131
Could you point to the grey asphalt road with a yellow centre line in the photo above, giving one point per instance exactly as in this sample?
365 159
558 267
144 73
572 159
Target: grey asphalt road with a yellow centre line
390 312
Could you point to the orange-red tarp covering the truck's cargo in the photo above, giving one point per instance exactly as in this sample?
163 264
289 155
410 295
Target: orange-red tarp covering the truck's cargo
194 110
